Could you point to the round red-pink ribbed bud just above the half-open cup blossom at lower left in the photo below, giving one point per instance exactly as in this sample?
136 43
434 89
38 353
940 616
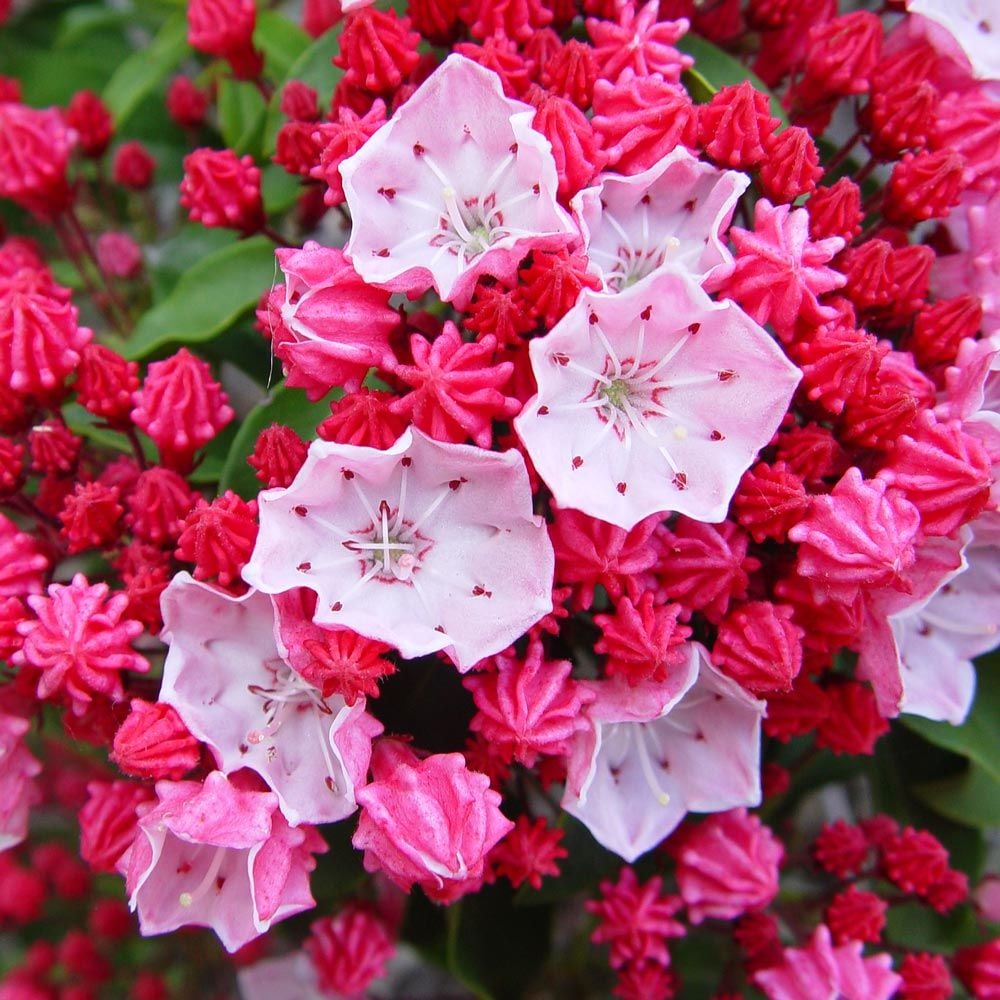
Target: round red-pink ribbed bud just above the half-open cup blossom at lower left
153 742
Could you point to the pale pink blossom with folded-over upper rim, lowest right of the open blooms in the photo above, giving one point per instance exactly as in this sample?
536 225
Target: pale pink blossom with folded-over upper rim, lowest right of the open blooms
653 752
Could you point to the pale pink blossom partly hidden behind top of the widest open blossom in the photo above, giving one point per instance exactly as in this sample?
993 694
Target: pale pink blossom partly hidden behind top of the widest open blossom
672 215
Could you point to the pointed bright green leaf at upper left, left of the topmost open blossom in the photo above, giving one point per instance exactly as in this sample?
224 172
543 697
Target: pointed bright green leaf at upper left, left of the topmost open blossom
208 298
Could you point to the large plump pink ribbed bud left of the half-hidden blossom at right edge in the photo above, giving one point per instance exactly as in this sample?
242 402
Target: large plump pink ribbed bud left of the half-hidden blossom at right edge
860 536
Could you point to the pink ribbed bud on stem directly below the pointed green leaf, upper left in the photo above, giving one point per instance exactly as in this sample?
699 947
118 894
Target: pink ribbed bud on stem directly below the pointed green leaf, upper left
181 407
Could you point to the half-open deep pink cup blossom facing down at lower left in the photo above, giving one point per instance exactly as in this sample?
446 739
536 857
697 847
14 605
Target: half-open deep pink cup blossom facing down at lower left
216 855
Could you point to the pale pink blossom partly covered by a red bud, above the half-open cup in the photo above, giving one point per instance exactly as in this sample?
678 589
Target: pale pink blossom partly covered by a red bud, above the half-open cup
227 675
